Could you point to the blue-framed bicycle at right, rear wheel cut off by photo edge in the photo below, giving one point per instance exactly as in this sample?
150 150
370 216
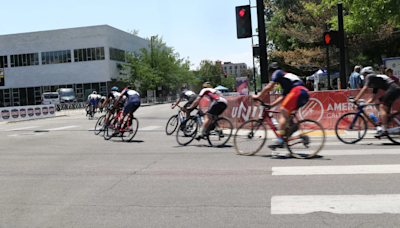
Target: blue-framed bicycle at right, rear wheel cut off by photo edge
352 127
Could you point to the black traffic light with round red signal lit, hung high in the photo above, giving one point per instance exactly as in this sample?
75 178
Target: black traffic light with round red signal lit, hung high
243 22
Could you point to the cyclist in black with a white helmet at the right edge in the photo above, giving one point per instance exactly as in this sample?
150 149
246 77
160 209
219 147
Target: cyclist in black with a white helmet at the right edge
383 82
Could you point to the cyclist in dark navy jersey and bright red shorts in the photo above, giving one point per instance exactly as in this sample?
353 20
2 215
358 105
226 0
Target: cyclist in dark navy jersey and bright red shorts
294 96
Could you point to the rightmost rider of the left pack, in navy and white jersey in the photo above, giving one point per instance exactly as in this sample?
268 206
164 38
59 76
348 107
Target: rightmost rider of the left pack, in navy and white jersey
132 104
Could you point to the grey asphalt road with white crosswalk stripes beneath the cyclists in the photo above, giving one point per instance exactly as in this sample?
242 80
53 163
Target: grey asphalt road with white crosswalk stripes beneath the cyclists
56 173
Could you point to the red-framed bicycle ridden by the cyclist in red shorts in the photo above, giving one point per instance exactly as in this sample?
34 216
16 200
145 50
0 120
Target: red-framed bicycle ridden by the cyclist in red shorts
304 138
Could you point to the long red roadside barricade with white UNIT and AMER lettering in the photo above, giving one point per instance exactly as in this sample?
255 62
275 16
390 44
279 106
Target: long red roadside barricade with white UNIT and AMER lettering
325 107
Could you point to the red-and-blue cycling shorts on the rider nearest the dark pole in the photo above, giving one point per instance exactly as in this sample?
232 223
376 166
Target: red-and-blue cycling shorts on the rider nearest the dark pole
296 98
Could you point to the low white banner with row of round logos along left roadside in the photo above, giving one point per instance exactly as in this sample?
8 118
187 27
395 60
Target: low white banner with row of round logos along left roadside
26 112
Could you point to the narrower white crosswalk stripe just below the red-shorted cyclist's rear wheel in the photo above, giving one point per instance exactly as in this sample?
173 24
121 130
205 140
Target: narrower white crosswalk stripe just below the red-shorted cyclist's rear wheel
332 170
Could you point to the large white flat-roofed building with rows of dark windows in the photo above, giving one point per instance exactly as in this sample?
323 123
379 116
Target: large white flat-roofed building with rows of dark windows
81 58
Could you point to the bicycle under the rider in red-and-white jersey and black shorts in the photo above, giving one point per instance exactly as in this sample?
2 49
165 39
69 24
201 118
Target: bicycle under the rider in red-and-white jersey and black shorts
218 133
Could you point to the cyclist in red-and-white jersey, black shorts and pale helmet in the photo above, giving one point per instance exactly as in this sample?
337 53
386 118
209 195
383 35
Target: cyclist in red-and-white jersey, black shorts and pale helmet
218 104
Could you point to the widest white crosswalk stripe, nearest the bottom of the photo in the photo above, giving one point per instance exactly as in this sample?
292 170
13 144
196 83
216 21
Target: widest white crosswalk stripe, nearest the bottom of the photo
338 204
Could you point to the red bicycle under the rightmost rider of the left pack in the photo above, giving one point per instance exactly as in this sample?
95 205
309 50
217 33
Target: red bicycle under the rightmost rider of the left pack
127 131
